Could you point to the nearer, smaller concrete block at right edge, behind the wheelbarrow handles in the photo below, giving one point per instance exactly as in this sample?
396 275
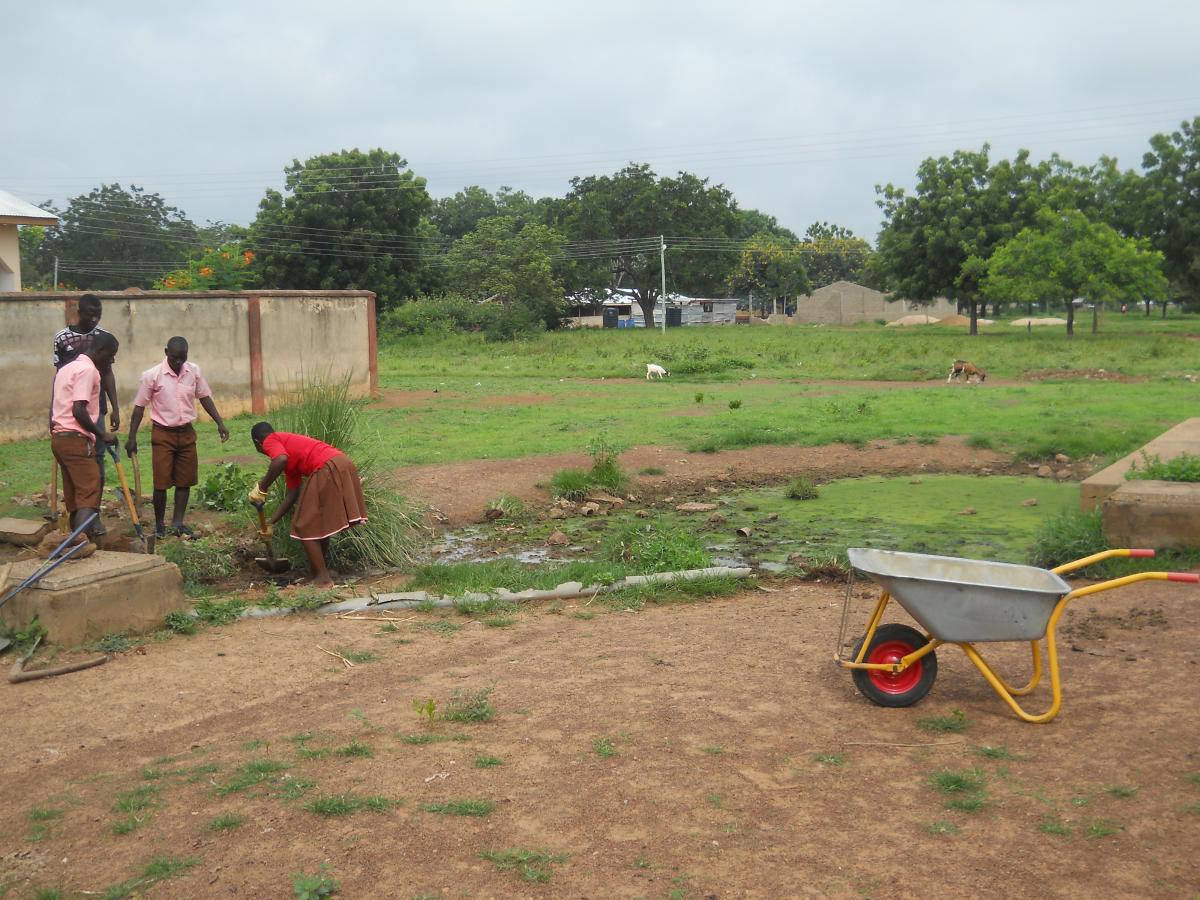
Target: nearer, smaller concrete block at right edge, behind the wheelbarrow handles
1154 514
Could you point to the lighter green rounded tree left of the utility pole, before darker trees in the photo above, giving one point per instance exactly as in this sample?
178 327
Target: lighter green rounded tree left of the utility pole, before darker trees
512 265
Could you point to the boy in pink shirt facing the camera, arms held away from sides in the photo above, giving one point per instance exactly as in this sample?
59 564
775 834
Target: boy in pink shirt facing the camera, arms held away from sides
171 391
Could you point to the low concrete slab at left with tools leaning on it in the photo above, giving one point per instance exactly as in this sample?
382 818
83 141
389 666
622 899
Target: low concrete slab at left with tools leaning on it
82 601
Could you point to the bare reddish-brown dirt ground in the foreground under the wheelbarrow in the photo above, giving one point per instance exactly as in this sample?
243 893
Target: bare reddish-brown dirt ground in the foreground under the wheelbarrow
736 759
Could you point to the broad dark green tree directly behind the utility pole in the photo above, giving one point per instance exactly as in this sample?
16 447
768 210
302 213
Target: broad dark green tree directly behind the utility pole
622 215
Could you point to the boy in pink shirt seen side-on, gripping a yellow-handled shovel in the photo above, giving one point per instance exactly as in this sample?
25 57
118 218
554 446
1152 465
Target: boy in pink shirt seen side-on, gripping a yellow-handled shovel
77 431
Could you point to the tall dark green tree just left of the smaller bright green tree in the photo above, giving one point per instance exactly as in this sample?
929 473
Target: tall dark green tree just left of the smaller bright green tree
938 242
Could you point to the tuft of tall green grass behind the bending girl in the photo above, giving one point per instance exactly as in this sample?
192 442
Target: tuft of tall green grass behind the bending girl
323 409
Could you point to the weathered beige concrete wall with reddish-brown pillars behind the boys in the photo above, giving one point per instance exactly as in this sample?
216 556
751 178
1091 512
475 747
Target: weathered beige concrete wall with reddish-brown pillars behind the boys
251 346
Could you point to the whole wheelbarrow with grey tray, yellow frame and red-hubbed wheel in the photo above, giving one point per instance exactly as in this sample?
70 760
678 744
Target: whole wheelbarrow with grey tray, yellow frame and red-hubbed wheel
964 602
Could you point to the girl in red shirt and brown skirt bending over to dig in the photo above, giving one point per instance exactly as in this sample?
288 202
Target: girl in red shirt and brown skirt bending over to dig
323 485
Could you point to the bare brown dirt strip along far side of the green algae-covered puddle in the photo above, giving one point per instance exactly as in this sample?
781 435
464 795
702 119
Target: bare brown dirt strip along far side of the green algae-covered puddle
461 491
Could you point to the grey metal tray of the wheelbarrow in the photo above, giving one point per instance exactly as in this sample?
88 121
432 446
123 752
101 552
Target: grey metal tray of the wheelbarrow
959 601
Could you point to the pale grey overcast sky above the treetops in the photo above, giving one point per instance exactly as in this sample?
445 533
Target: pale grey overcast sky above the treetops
799 109
